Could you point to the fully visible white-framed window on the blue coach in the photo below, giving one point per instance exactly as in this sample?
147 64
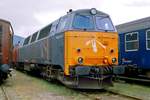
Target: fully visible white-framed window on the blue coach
131 41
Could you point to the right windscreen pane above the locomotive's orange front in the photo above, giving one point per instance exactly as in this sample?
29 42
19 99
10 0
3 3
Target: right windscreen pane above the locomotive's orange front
104 23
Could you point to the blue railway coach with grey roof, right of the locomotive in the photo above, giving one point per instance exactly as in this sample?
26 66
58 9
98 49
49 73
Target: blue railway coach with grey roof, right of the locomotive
134 51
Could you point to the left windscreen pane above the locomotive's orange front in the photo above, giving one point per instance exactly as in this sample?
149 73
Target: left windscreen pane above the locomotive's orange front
83 22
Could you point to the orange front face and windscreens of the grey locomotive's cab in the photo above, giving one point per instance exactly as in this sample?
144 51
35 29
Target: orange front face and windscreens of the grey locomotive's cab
89 42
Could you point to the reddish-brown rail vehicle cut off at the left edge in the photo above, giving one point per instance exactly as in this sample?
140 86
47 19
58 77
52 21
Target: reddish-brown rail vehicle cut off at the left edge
6 48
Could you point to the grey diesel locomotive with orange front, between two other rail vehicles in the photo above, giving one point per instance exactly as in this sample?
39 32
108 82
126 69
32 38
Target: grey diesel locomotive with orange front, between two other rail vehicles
79 49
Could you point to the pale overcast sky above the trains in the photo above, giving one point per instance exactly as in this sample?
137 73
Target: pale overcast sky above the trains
27 16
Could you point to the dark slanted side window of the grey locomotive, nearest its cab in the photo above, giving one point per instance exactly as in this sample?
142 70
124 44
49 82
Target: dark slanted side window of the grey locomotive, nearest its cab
44 32
